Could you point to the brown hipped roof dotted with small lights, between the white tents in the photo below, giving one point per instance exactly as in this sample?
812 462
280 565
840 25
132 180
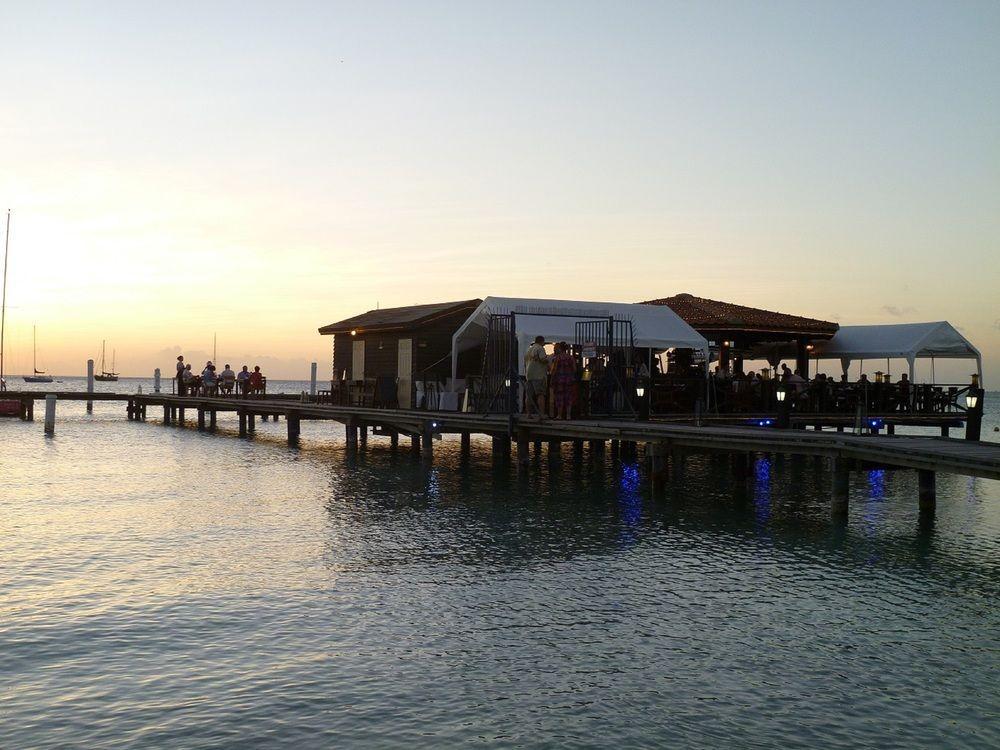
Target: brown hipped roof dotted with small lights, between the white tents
713 316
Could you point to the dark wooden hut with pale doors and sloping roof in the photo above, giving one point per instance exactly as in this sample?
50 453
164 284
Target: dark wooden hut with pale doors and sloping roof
401 344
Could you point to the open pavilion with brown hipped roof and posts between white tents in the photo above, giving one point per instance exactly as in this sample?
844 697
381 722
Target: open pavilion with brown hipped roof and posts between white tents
735 330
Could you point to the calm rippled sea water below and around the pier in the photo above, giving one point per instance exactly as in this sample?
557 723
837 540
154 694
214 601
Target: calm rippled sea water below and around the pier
165 588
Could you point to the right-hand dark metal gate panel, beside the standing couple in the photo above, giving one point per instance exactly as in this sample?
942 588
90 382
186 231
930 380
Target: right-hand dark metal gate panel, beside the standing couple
607 346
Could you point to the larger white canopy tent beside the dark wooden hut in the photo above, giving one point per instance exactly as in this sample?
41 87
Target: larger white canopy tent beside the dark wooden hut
654 327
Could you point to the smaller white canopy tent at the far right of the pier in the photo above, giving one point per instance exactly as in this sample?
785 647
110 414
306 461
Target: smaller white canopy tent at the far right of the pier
903 340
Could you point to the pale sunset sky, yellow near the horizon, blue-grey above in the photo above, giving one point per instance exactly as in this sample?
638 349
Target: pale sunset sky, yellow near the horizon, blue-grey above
256 170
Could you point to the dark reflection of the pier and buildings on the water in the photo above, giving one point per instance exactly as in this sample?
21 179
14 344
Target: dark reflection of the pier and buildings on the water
558 512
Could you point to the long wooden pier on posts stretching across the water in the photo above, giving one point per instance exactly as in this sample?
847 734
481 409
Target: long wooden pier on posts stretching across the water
658 440
